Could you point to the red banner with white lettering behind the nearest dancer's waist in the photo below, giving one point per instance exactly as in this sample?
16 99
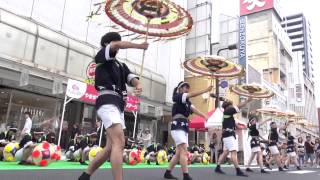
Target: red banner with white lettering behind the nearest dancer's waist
91 95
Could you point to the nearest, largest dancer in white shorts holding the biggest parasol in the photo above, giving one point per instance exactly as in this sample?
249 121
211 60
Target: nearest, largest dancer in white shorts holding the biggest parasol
111 77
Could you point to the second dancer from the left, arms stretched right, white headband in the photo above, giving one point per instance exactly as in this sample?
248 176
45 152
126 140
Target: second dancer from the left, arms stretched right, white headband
181 110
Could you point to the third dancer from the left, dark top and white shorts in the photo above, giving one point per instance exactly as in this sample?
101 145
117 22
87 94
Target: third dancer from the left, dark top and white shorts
229 136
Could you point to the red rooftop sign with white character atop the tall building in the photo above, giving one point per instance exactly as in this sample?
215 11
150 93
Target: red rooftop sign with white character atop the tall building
253 6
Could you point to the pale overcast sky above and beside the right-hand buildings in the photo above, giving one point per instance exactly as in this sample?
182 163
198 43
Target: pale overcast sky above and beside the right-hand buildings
309 9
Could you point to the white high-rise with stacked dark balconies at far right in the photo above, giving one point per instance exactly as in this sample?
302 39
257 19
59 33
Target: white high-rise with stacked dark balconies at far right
303 90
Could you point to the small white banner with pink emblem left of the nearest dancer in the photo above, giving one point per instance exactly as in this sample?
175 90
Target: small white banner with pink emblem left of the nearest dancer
76 89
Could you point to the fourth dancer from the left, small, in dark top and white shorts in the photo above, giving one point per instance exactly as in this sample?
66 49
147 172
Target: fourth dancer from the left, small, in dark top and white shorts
255 143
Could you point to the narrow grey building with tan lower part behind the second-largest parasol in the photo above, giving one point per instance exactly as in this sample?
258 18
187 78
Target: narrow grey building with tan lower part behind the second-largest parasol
198 43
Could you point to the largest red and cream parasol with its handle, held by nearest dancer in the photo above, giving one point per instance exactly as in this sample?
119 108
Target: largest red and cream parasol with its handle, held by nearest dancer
156 18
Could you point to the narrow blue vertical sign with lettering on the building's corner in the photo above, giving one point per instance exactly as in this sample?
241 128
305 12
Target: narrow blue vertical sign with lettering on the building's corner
243 42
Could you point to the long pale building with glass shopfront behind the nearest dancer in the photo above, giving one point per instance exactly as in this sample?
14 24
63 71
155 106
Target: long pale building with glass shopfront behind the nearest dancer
40 51
